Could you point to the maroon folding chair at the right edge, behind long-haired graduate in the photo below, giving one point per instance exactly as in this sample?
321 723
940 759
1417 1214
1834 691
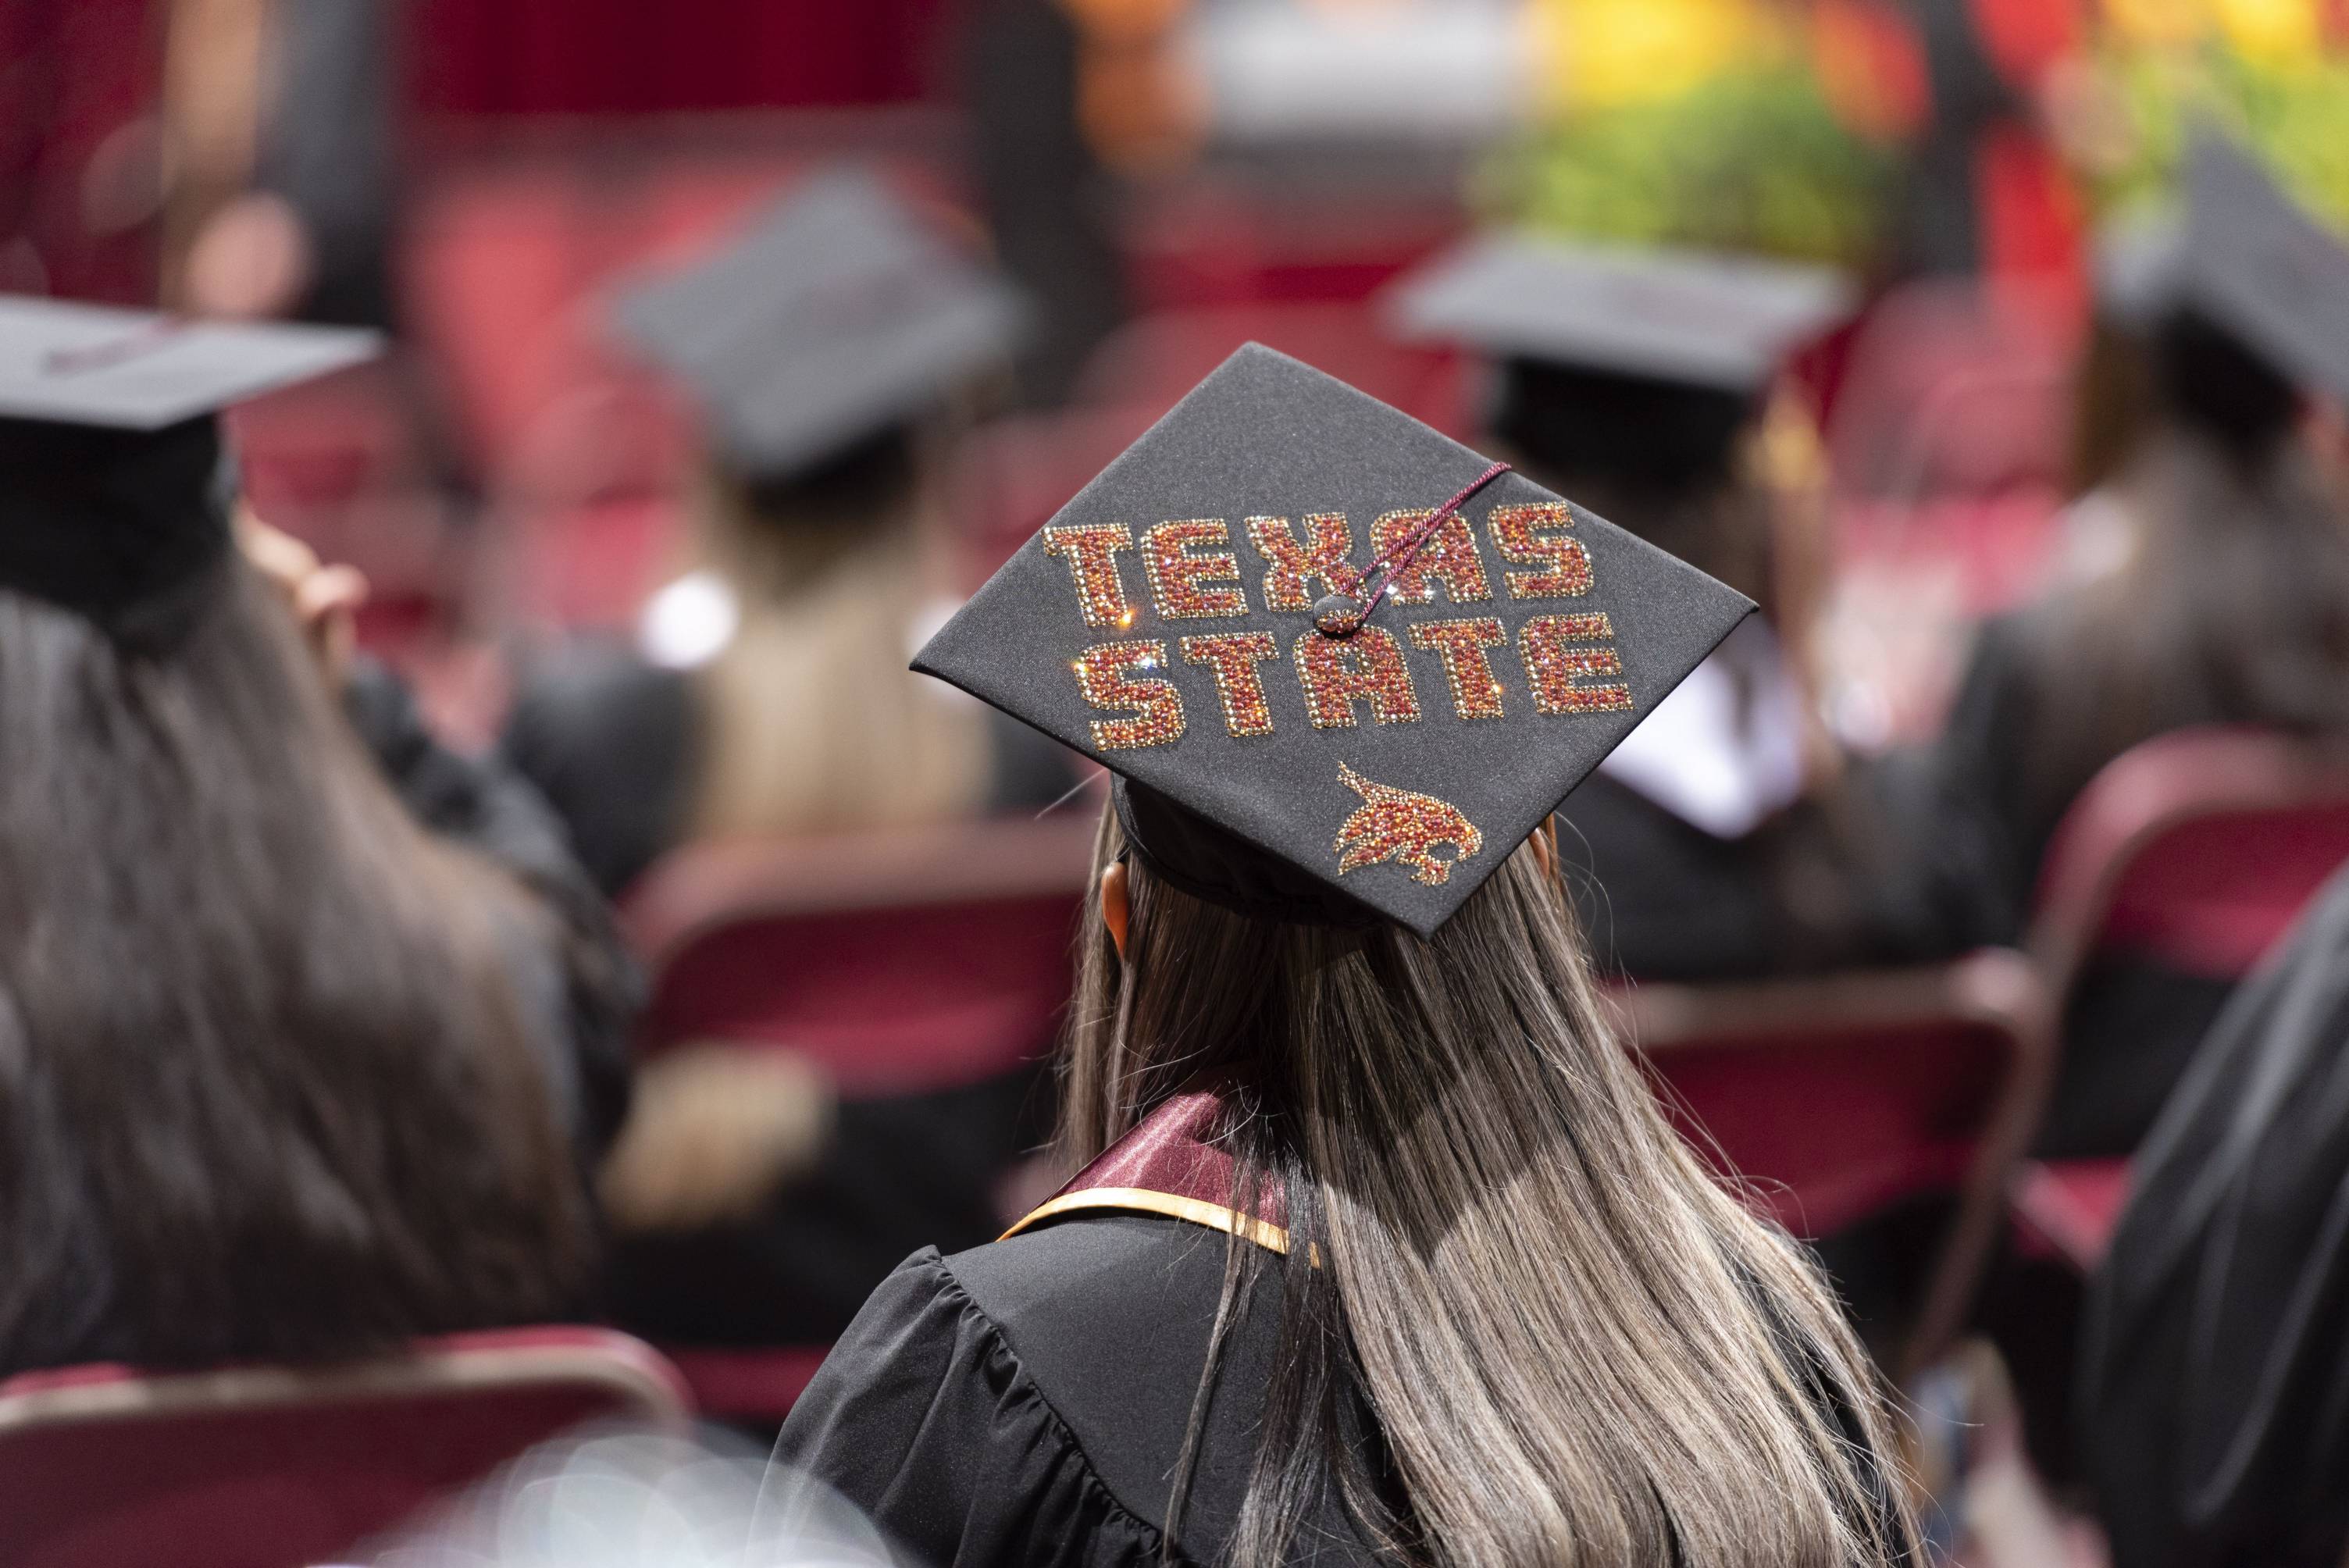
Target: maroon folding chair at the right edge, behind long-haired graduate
2195 849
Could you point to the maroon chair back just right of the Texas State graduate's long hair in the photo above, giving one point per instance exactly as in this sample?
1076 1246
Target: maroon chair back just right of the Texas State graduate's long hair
1845 1095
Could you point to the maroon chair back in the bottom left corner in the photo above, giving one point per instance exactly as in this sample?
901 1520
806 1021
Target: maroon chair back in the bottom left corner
278 1468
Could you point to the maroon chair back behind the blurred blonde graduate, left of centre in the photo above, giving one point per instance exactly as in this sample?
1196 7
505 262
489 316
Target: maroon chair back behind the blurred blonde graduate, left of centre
898 961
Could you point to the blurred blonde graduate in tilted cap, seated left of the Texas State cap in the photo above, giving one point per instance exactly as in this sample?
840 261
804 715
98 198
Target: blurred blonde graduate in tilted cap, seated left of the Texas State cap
830 353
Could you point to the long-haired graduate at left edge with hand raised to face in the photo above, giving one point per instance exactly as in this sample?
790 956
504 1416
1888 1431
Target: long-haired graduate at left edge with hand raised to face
311 1034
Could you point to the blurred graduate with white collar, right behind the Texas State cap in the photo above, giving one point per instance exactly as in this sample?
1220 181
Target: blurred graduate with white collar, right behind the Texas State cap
1723 837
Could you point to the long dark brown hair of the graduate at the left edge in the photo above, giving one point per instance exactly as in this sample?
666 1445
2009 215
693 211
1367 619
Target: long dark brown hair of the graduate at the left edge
267 1086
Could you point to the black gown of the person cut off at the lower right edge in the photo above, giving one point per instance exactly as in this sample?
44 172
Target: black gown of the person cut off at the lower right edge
2216 1349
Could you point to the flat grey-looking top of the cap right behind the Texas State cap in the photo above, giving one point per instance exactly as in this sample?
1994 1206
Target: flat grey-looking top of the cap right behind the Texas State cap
1671 316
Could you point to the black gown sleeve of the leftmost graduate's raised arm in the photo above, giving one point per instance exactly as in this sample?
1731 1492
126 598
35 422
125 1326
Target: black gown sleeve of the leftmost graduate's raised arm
494 813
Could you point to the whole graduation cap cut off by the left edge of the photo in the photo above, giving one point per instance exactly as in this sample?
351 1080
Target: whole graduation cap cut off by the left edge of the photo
114 485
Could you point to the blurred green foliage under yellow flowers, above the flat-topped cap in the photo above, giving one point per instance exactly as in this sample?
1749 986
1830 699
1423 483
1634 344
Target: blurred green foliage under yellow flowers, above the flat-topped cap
1744 163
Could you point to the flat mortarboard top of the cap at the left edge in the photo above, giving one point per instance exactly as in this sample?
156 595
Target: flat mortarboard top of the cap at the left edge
135 370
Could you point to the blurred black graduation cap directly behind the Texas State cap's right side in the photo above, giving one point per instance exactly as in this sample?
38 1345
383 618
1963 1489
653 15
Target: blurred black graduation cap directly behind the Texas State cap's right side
1636 363
